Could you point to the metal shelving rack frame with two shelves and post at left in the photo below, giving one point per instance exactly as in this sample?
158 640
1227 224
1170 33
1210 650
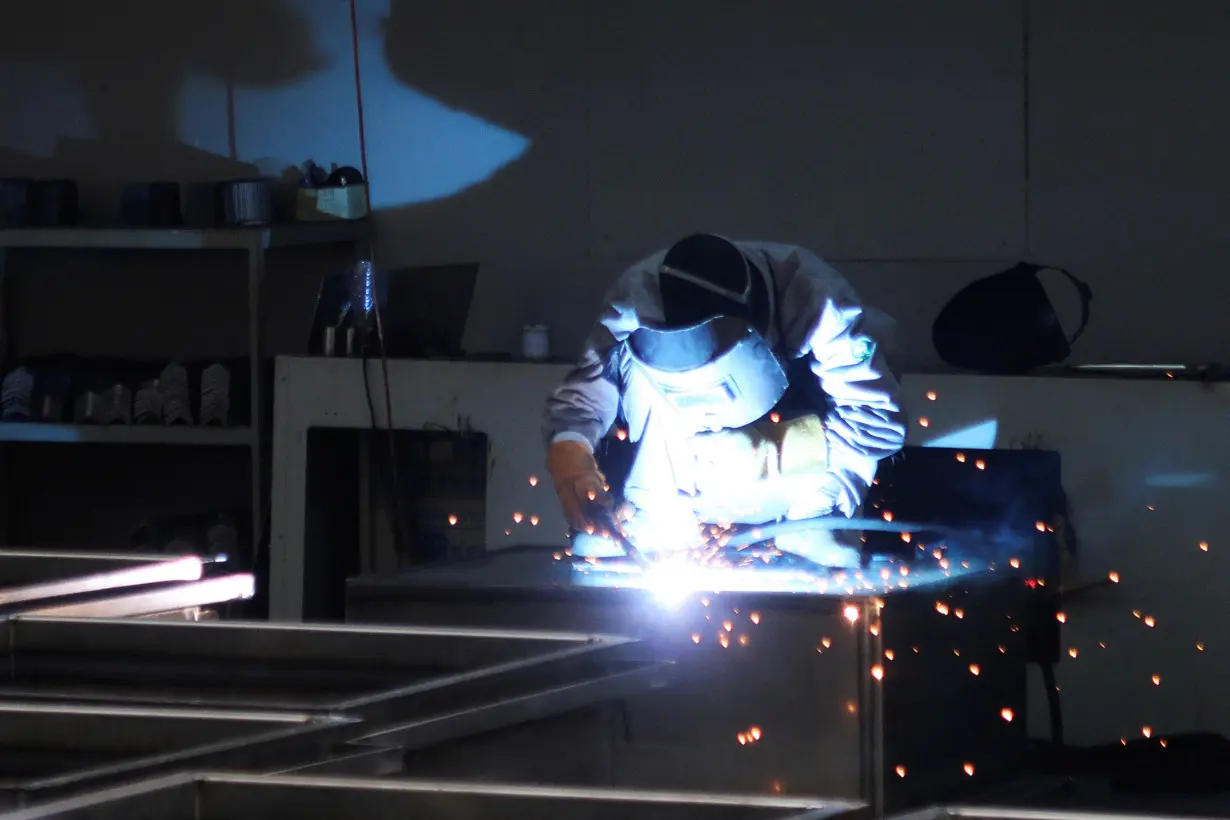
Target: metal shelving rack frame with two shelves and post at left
255 242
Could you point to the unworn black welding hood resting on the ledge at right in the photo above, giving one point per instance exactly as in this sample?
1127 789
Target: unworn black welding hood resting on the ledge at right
1006 324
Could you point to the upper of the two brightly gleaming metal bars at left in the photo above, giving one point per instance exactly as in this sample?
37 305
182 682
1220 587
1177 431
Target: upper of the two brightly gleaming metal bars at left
40 576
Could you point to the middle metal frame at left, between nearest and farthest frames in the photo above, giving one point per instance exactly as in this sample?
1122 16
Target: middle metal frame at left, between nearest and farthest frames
52 751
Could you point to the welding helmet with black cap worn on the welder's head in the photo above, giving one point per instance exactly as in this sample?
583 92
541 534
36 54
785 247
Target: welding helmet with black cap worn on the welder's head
710 360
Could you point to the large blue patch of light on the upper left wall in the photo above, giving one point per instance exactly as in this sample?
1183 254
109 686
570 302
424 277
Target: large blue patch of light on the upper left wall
419 149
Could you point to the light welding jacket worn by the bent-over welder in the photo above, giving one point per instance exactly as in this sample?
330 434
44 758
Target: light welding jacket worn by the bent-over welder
816 314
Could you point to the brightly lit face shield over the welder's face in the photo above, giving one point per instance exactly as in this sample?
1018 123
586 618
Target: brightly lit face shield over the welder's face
719 374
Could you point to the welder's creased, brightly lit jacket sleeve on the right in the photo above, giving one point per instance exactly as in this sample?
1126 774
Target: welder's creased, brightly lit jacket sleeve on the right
825 320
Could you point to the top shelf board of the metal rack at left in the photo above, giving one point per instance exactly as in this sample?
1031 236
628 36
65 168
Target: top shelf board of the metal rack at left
185 239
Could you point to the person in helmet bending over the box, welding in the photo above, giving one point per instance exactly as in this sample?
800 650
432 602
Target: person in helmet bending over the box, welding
755 387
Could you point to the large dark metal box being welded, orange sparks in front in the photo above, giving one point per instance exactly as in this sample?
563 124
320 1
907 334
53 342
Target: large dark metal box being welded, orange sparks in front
875 690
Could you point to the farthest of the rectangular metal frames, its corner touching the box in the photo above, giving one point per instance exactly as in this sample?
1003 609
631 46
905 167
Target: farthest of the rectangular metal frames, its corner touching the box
381 674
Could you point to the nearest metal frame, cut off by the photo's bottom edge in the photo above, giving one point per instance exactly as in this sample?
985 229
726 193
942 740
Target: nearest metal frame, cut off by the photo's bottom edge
238 797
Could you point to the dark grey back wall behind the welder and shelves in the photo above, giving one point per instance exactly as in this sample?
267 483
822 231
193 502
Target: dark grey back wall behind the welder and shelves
917 144
